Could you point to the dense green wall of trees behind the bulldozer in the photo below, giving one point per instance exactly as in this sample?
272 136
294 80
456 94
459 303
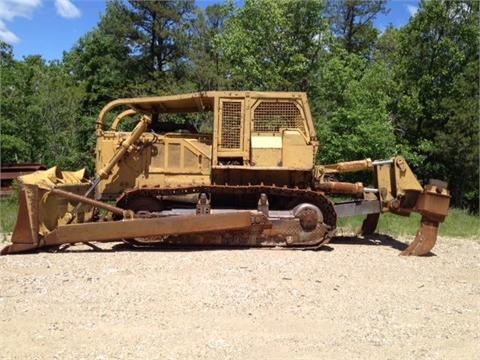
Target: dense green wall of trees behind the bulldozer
412 91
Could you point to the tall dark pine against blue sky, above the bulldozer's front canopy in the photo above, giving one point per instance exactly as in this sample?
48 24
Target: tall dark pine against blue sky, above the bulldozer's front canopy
159 38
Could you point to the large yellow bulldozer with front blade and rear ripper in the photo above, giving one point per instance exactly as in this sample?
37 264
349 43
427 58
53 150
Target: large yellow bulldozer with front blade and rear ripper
248 179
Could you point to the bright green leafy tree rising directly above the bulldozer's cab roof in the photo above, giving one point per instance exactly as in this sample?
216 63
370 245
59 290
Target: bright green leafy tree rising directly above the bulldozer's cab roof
271 44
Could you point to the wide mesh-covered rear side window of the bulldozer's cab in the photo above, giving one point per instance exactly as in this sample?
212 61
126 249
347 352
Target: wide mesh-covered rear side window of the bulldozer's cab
271 116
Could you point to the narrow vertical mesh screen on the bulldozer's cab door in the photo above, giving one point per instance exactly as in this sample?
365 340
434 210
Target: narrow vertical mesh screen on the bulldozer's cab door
231 124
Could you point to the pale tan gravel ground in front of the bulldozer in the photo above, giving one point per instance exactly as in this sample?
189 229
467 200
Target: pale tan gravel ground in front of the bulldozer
357 299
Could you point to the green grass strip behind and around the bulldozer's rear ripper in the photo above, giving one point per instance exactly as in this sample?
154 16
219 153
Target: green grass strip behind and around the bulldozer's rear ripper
459 223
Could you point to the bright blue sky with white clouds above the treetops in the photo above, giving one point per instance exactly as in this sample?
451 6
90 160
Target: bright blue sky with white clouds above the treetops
50 27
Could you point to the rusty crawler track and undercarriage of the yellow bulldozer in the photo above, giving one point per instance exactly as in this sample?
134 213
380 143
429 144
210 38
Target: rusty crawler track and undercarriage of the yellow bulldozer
298 217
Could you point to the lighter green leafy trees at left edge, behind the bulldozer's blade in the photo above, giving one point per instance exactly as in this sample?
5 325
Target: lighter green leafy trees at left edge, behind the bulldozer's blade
40 105
